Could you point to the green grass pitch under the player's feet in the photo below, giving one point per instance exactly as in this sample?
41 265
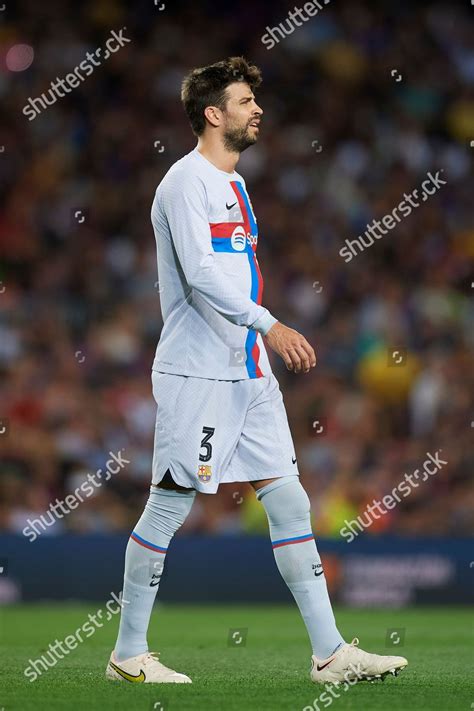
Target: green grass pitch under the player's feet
266 671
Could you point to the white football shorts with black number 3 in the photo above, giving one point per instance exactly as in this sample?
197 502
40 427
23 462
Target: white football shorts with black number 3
210 432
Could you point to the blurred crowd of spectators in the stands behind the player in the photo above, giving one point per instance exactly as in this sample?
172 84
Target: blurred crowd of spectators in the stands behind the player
79 306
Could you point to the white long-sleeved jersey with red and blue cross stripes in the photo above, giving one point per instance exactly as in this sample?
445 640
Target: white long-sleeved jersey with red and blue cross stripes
209 279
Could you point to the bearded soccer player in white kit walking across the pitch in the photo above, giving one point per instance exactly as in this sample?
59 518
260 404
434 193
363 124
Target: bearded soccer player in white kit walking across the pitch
220 415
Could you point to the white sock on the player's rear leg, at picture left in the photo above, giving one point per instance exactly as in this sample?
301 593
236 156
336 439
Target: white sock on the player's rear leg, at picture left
164 513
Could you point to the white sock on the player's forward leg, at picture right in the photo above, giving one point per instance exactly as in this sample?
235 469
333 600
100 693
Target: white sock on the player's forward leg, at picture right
288 511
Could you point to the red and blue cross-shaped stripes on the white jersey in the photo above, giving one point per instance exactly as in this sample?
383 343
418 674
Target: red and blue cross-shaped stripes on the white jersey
221 233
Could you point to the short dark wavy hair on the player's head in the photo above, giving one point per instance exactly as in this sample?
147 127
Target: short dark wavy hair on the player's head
207 86
